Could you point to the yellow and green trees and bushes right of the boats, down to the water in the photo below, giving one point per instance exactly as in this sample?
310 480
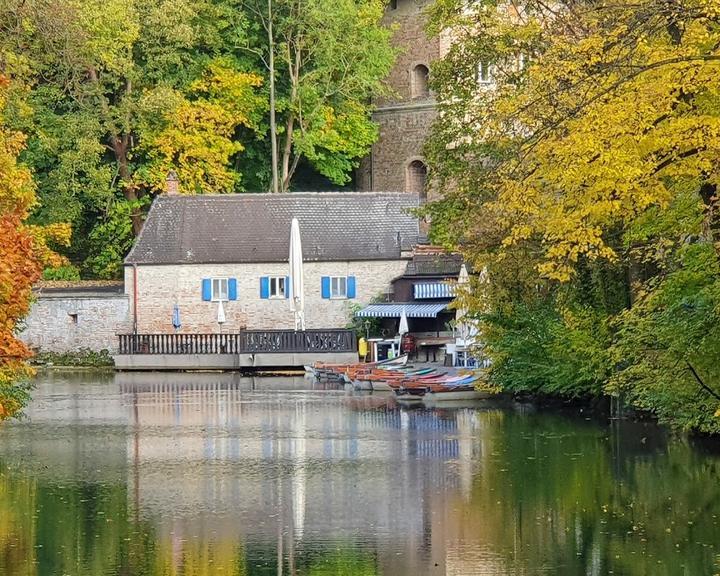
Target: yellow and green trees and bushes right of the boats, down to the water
577 149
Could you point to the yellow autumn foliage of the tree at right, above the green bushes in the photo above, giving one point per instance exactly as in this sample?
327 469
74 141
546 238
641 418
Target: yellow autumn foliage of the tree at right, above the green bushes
593 114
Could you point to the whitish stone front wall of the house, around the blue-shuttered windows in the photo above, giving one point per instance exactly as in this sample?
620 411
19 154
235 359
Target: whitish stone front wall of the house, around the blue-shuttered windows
160 287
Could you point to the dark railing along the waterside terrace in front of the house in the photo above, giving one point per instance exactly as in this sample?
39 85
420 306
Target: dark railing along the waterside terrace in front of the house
246 342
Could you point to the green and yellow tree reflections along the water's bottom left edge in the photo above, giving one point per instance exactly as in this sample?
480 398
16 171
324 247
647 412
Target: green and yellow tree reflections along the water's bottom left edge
84 530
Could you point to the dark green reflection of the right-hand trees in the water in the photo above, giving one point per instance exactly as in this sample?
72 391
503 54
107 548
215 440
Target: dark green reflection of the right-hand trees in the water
552 492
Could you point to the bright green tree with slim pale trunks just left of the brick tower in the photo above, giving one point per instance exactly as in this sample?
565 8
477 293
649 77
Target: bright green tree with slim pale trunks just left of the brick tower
328 59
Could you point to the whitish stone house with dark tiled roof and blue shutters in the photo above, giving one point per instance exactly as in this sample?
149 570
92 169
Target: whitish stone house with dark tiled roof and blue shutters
195 251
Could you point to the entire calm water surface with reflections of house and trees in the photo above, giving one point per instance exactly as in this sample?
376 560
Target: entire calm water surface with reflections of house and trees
204 474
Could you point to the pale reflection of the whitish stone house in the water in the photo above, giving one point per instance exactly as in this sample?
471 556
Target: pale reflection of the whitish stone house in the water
338 470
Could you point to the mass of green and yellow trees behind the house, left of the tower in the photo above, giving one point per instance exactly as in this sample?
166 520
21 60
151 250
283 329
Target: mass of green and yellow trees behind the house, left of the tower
113 95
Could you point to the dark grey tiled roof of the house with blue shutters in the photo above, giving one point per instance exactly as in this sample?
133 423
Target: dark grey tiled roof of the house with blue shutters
242 228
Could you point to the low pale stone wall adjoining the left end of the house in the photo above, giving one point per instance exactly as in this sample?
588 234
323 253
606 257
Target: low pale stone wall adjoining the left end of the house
65 322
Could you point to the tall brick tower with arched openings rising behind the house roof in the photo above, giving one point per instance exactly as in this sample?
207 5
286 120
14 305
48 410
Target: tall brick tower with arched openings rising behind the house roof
396 162
